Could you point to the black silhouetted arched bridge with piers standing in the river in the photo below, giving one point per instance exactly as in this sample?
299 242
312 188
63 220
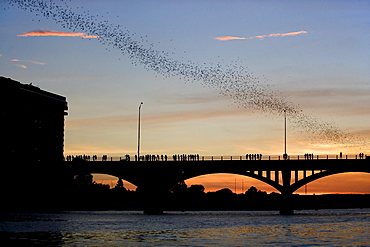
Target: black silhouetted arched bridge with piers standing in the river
154 177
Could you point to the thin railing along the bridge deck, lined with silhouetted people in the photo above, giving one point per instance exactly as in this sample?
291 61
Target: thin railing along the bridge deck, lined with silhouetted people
194 158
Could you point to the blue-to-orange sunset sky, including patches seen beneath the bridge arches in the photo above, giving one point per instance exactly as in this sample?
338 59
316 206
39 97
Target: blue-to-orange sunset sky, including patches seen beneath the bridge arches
214 77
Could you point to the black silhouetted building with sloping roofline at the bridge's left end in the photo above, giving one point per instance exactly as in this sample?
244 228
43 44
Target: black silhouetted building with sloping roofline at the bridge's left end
32 123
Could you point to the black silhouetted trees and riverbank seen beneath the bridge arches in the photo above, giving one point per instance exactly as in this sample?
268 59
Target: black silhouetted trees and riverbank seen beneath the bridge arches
35 191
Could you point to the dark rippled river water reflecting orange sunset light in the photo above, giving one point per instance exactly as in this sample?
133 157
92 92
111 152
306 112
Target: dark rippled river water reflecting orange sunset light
226 228
